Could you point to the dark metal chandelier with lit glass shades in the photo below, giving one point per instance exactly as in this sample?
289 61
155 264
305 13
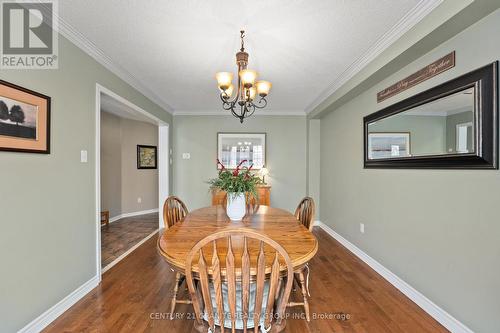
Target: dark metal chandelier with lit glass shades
244 103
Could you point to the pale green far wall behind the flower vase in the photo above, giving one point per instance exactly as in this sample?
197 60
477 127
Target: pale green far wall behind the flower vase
286 156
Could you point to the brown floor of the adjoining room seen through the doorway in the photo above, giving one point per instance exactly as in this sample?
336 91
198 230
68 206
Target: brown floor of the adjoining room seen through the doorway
120 236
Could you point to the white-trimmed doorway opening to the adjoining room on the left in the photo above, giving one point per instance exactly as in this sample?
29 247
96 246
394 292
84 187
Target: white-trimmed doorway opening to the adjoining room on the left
136 215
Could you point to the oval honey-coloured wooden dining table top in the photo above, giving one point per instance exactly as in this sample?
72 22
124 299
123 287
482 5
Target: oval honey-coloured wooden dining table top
176 242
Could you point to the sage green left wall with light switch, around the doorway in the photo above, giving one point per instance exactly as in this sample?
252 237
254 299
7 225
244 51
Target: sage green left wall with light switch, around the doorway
47 202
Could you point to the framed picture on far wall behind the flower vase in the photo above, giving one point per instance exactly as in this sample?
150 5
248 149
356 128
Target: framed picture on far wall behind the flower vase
232 148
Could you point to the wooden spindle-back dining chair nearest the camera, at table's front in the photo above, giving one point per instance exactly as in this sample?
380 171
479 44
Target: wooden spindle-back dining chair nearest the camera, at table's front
214 262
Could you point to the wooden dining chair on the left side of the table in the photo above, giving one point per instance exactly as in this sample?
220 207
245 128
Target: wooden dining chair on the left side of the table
174 210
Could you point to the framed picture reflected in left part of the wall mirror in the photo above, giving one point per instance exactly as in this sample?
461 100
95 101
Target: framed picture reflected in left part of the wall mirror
388 145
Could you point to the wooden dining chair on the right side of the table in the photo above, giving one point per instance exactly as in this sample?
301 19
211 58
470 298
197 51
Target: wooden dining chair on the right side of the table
305 215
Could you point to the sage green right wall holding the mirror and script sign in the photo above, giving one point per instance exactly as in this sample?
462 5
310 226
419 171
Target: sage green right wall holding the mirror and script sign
436 229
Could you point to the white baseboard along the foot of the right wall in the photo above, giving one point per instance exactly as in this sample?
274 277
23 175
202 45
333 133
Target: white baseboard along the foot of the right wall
443 317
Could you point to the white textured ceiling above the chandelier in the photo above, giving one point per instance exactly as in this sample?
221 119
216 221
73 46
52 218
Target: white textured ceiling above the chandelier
175 47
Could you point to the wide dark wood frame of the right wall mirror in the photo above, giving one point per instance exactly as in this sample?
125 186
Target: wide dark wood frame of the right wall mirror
485 156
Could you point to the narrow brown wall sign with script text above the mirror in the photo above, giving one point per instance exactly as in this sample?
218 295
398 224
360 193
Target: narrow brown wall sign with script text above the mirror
437 67
